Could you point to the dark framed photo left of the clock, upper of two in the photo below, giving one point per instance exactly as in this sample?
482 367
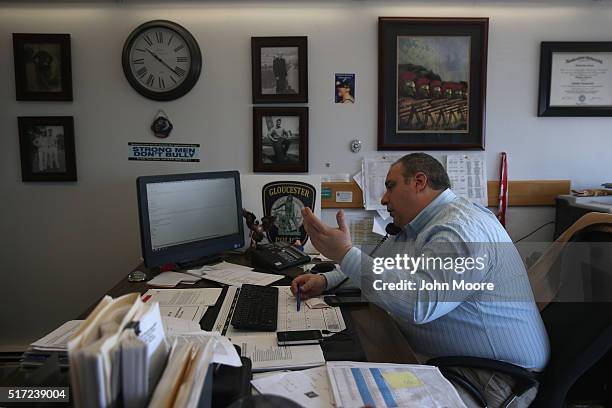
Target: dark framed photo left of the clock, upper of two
42 67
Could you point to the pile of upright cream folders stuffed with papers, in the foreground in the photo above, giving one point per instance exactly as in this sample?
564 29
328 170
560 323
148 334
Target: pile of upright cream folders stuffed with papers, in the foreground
120 355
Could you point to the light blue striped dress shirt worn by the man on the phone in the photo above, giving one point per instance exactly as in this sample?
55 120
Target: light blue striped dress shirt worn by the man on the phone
503 324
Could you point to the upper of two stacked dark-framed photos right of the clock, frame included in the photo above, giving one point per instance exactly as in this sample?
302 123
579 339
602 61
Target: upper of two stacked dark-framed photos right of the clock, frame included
280 69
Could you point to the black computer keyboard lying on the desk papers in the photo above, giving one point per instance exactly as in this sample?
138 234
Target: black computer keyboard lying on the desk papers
256 309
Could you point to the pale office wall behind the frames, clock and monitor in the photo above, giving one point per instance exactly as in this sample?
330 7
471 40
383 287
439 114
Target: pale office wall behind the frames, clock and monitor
65 244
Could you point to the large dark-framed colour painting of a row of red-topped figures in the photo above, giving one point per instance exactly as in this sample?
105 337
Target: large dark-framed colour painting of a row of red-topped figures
432 83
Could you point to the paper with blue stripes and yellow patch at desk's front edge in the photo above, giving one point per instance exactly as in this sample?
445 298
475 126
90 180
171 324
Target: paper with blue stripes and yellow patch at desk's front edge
390 385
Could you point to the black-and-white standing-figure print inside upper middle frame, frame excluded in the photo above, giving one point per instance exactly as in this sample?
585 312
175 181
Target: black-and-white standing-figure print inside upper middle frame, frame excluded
279 70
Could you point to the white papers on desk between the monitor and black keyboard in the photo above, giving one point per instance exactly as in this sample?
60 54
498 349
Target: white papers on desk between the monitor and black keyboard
234 275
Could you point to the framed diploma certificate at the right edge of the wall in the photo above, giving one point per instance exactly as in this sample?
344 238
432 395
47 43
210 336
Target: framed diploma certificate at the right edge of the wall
575 79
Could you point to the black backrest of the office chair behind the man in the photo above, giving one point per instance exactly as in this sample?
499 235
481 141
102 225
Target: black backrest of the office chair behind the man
580 334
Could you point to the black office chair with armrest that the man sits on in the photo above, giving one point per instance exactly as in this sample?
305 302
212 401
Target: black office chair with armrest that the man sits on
580 335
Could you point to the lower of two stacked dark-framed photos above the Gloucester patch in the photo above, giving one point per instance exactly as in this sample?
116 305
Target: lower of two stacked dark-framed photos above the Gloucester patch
280 140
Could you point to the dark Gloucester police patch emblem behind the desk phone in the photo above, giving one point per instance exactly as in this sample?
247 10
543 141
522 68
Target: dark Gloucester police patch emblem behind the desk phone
285 200
